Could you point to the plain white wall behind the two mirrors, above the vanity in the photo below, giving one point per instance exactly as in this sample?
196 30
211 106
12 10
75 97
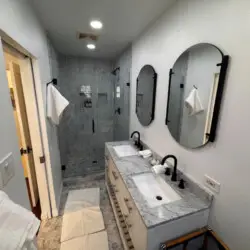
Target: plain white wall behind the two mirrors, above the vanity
222 23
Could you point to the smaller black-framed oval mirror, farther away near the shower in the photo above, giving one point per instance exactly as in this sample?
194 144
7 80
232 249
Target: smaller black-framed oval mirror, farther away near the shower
145 95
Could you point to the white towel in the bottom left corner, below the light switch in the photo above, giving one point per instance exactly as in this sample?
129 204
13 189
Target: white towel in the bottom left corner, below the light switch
18 226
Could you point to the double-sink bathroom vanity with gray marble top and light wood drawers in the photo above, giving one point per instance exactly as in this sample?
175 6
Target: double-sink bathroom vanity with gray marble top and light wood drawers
150 209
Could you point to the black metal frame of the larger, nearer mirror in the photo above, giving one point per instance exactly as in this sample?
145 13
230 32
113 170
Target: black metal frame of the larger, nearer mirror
219 94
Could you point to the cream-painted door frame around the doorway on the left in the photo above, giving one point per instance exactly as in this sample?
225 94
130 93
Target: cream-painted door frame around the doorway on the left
37 123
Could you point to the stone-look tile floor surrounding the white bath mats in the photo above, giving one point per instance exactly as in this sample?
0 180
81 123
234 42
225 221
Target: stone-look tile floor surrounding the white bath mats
50 231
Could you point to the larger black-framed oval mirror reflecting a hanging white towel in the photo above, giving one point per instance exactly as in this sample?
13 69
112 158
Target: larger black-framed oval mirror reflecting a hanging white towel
196 84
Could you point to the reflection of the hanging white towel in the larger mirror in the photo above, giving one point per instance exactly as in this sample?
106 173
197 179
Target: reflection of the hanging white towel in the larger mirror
193 103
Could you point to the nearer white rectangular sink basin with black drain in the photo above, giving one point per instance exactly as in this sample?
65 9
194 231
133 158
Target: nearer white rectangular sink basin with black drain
155 190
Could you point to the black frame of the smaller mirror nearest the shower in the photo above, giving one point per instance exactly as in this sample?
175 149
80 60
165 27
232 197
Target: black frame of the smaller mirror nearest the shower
154 94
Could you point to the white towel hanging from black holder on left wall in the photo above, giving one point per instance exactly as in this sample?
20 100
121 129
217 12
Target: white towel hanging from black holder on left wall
56 104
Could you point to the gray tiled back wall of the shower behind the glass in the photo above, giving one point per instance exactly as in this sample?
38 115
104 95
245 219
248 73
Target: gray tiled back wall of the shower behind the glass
79 146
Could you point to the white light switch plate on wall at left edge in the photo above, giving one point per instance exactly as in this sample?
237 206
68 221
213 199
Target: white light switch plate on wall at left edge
7 168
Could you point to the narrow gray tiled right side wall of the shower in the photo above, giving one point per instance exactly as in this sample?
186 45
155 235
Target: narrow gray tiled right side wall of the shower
121 122
